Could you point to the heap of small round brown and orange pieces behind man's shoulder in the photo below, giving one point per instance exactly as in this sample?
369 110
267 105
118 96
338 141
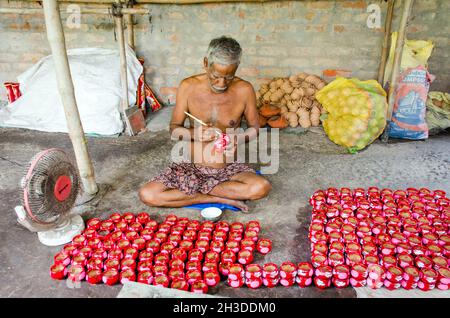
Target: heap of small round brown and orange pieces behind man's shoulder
290 101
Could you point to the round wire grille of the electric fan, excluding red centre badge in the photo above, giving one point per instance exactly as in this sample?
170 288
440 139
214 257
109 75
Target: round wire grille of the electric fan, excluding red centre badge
39 183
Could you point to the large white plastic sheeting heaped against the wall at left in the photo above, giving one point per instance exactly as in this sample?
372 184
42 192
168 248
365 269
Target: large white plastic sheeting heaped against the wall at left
96 78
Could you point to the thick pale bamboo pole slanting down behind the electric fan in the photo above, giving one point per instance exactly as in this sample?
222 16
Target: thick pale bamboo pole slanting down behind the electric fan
56 40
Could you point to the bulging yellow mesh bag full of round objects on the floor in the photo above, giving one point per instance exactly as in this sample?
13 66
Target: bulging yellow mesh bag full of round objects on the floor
356 112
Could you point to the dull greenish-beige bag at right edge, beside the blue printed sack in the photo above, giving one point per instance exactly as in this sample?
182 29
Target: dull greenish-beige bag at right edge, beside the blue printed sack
438 111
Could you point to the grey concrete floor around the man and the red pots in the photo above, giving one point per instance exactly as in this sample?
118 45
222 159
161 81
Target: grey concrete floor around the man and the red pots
308 161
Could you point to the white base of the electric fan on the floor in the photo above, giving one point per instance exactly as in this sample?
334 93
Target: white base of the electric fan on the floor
63 234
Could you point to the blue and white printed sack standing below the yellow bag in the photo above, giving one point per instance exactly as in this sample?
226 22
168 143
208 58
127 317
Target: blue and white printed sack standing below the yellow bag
408 117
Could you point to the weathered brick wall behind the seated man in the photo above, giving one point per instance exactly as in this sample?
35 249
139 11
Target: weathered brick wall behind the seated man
278 39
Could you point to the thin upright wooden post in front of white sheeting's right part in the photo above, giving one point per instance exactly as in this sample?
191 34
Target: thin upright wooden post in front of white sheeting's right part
118 19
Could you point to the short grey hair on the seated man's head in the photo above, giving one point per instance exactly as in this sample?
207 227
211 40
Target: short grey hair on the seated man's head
224 51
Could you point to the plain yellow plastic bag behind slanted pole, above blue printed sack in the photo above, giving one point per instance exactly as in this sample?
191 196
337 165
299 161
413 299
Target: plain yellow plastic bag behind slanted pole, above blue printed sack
415 53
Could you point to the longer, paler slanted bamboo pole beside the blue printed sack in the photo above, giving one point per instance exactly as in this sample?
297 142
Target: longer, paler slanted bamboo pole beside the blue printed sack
397 65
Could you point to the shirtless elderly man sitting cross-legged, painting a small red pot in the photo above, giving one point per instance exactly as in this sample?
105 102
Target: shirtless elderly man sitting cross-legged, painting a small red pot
219 99
